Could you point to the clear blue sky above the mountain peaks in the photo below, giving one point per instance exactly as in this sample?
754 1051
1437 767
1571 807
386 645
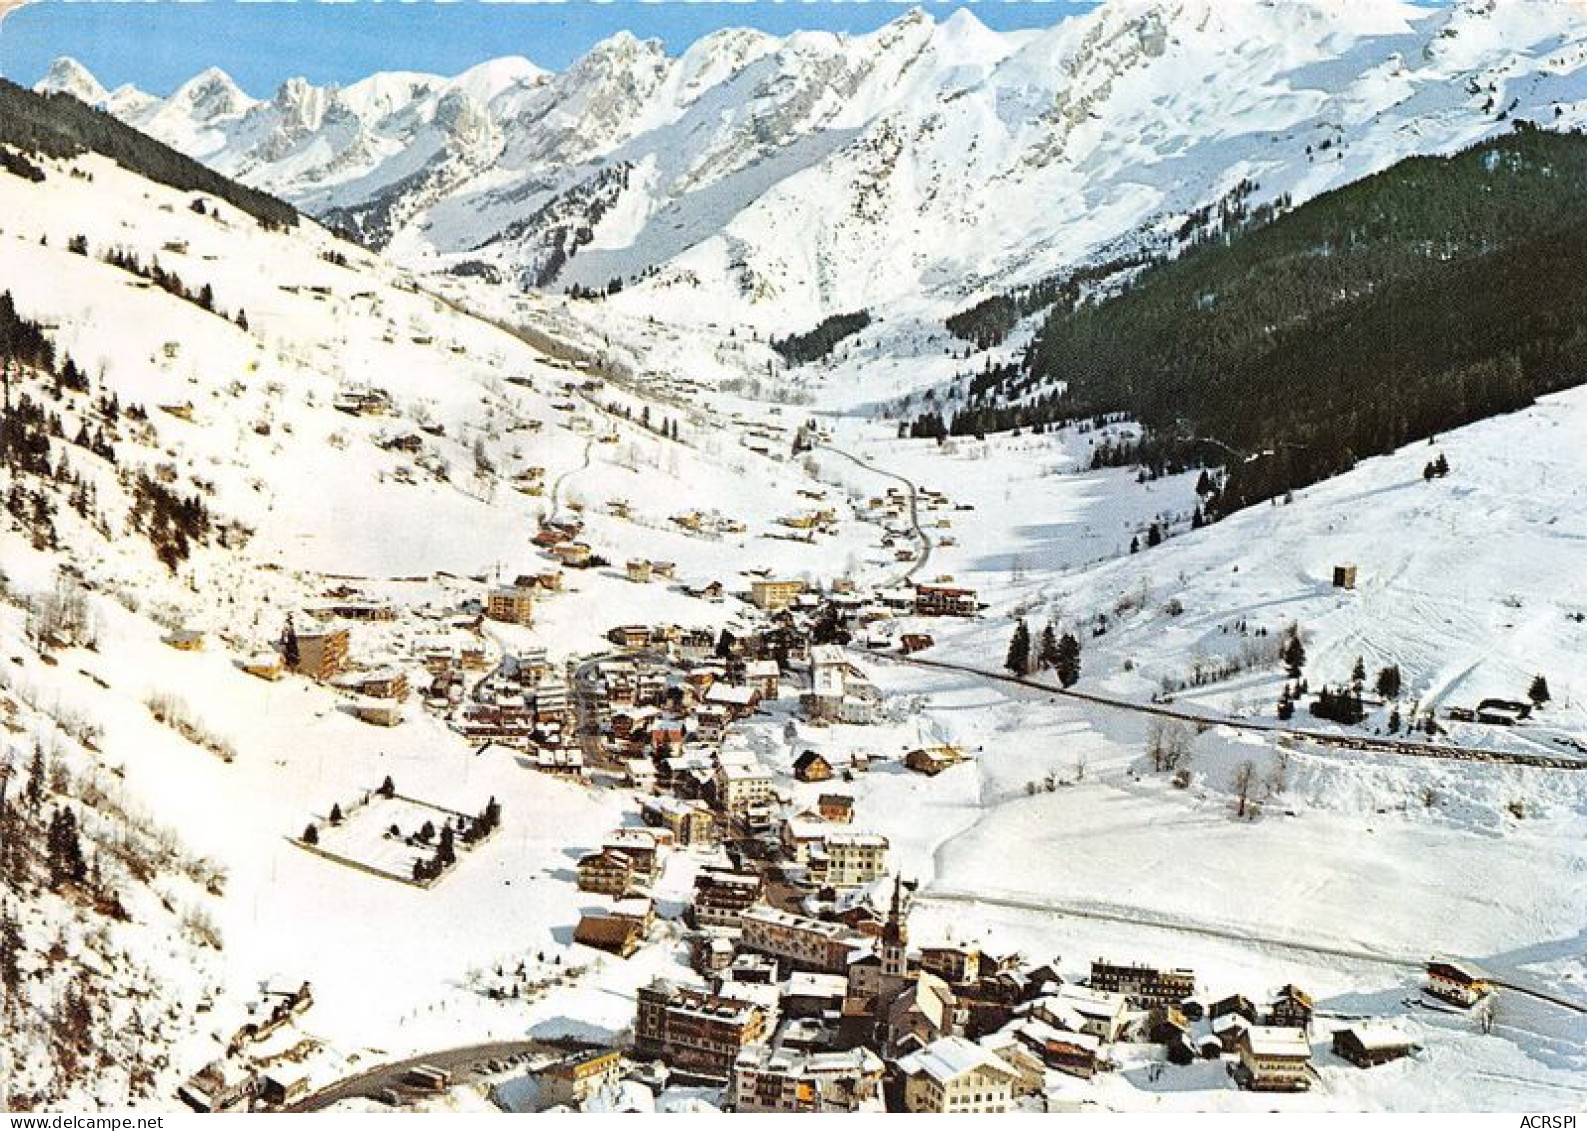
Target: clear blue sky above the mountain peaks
161 44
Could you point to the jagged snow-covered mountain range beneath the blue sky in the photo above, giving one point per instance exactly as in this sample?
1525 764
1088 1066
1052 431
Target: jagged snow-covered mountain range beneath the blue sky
790 178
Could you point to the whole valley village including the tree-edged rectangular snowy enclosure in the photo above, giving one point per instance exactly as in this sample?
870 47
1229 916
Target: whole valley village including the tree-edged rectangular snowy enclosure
799 986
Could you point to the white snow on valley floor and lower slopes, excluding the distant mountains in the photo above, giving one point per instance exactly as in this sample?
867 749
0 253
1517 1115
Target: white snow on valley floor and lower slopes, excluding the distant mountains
1355 868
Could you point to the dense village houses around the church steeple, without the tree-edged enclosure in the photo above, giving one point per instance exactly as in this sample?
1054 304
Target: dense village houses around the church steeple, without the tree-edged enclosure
807 994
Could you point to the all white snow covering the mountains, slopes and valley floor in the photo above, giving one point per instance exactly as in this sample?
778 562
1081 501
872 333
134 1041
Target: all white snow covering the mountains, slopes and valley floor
955 161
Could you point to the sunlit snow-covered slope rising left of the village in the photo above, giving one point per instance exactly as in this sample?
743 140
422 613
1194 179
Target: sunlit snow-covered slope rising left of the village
232 404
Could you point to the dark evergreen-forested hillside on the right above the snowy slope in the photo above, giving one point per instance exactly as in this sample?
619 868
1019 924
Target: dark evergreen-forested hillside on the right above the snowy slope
1434 294
